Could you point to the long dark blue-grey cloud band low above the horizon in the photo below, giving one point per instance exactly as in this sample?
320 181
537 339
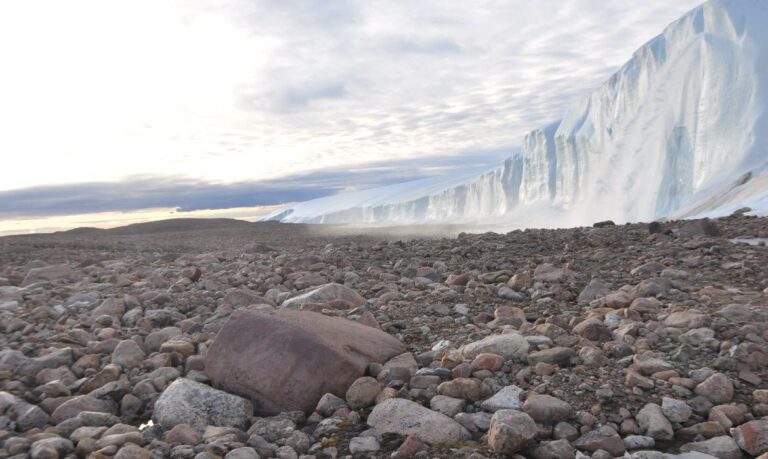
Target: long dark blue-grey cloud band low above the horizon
190 194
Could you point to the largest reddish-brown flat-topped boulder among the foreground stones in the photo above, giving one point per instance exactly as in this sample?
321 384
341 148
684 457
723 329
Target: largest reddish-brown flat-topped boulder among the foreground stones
286 360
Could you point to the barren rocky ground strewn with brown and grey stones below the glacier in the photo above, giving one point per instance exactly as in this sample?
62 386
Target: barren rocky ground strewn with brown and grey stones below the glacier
236 340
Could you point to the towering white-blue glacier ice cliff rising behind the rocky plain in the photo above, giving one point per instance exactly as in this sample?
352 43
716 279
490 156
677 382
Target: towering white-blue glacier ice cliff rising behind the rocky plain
680 130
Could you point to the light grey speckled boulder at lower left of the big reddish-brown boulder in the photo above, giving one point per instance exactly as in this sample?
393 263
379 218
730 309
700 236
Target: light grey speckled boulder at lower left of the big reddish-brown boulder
189 402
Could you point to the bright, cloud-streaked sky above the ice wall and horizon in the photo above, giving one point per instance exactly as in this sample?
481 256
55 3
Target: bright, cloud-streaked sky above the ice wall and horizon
199 104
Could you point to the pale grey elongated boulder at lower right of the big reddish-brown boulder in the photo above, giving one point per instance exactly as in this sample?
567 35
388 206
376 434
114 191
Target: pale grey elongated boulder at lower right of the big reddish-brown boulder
404 417
